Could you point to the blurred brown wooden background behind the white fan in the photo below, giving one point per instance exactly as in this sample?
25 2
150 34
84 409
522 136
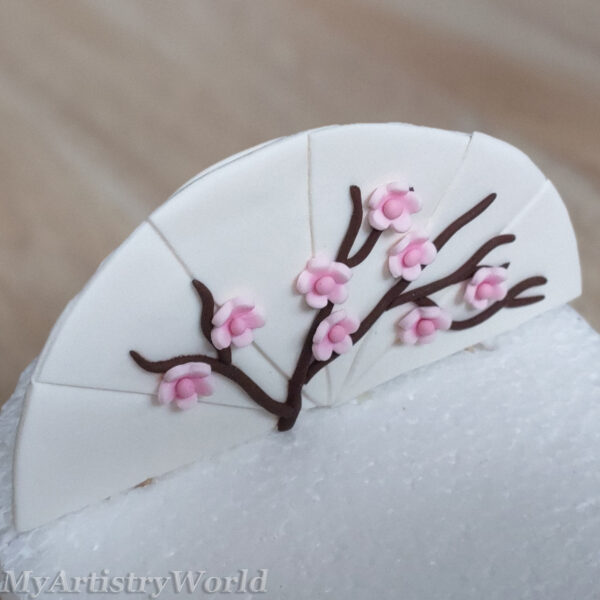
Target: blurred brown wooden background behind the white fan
107 106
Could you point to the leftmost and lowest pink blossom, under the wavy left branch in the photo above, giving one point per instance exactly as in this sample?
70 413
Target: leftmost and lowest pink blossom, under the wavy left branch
184 384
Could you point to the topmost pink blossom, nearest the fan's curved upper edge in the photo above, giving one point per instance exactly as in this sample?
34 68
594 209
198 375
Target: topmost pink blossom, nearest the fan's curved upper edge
391 205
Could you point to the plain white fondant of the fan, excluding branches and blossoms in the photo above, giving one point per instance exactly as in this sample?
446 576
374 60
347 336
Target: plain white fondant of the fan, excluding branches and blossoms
247 226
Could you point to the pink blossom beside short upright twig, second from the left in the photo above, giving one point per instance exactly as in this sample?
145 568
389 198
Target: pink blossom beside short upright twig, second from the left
234 323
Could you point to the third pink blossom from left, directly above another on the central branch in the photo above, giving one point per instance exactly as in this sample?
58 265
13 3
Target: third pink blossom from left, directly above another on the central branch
323 281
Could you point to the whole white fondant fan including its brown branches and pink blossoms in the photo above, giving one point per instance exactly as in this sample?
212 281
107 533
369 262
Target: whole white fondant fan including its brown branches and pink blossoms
244 231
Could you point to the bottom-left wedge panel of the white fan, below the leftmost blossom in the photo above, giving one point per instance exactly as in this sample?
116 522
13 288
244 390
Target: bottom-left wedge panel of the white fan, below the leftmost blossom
120 443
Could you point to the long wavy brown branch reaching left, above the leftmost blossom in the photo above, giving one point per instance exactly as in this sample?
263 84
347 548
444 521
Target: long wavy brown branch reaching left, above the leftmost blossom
234 374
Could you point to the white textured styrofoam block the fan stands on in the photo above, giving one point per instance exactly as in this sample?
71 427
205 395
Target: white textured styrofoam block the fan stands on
476 477
